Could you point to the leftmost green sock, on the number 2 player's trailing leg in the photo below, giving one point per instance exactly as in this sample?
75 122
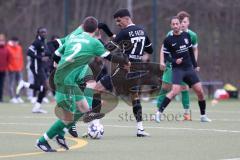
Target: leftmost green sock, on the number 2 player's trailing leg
55 129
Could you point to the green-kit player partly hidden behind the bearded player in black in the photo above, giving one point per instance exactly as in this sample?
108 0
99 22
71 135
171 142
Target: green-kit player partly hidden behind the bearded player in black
167 76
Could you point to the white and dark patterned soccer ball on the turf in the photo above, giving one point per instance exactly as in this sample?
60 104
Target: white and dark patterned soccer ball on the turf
95 131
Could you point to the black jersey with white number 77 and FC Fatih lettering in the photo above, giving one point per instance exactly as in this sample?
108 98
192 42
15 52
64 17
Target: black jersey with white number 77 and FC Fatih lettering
134 42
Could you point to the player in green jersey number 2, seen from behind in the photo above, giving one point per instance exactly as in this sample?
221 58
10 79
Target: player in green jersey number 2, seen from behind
72 68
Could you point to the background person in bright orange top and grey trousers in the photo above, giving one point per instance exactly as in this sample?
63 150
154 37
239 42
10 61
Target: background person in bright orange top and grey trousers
15 68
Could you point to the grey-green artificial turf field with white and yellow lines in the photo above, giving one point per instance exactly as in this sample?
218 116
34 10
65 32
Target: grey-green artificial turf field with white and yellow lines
171 139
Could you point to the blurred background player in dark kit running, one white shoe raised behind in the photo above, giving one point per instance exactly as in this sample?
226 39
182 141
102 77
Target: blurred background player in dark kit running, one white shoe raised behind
38 56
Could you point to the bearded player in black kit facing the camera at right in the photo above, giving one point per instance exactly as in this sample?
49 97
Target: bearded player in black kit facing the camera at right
178 50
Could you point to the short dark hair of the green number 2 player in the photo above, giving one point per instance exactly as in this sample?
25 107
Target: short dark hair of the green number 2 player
90 24
